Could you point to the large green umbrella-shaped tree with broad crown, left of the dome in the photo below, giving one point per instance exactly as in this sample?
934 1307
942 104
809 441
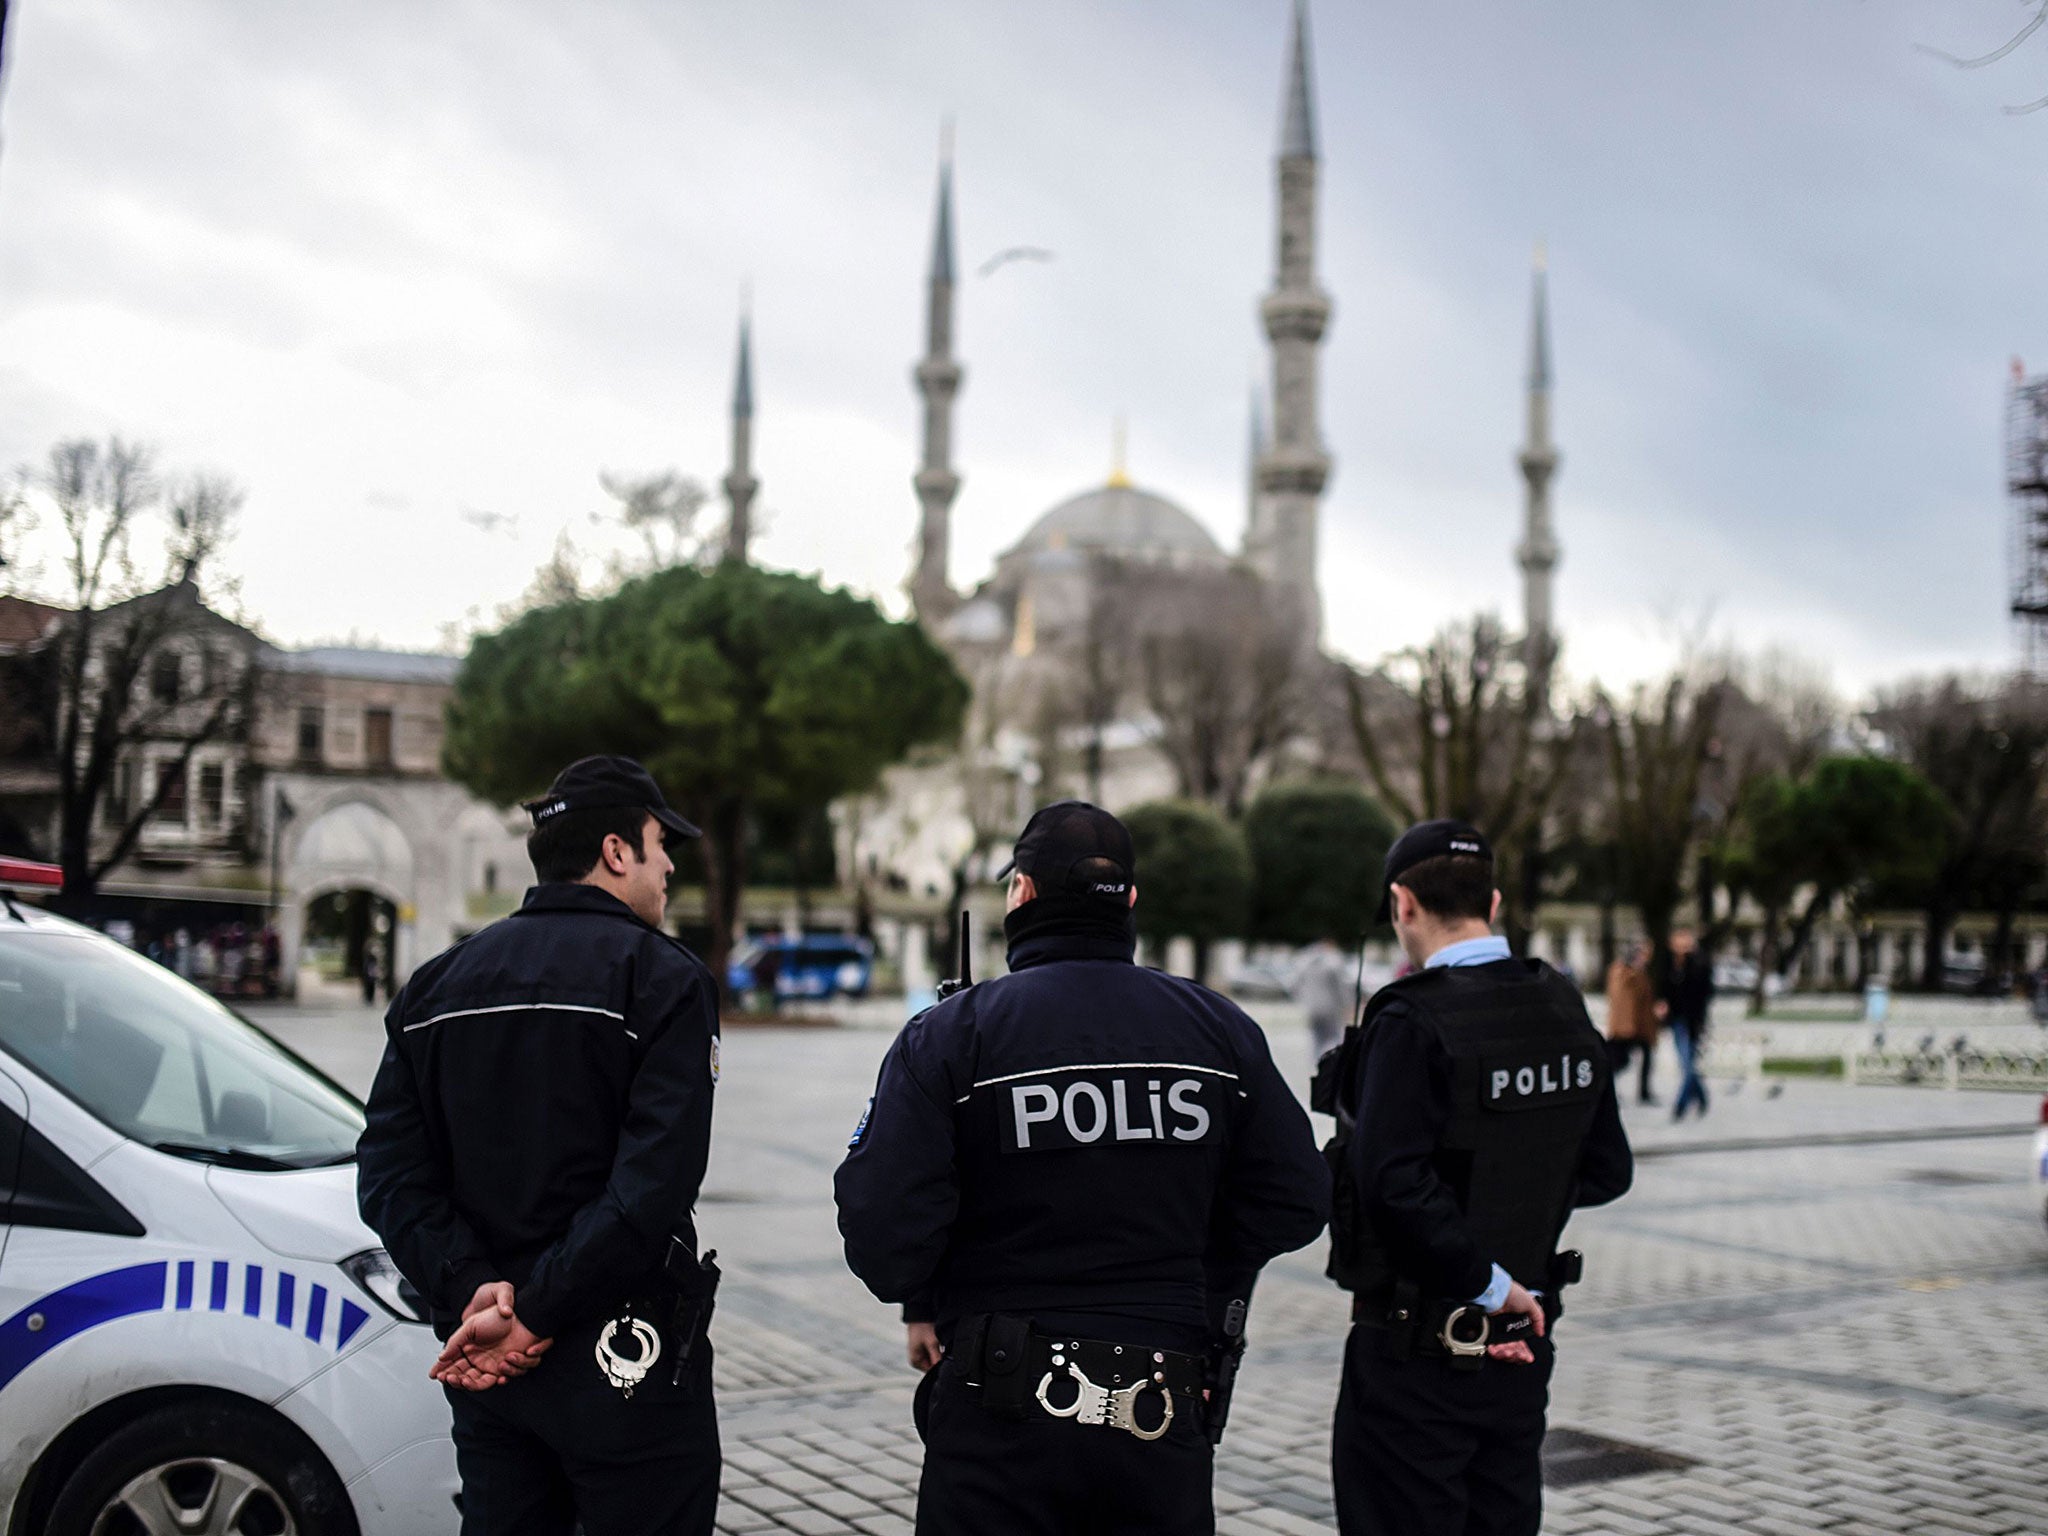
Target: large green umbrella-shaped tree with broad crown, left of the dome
746 693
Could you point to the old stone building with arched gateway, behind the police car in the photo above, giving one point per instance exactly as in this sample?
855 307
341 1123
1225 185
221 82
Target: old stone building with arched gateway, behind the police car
327 783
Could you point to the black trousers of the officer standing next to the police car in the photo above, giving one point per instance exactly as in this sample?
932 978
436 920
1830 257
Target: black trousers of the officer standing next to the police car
564 1447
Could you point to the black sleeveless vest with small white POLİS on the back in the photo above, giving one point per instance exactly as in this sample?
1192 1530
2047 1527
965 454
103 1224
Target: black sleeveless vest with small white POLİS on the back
1527 1076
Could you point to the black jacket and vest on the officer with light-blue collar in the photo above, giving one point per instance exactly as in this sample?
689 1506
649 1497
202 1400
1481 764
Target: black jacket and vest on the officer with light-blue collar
1482 1115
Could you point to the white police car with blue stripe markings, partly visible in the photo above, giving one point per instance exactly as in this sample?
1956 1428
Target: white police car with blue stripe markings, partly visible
198 1334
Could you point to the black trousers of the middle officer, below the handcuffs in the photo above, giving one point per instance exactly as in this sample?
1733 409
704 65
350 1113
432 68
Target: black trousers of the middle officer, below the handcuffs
986 1476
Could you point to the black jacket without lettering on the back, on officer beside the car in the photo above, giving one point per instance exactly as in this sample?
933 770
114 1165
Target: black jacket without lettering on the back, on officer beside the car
544 1111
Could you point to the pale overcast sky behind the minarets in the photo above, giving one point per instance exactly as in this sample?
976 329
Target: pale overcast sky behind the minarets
400 263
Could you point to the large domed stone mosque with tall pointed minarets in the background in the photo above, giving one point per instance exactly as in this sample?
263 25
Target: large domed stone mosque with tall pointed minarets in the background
1021 636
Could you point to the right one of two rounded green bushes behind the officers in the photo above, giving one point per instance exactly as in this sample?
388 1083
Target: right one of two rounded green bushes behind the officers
1318 853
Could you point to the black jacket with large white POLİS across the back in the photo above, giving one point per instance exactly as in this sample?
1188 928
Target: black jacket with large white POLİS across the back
1099 1146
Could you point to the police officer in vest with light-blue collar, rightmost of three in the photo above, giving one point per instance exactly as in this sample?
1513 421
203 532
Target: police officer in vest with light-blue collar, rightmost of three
1476 1111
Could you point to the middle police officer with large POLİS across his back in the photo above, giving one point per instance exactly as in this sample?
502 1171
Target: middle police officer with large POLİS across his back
1072 1177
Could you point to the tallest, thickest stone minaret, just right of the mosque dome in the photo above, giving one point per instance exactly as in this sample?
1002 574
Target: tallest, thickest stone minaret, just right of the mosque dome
1295 468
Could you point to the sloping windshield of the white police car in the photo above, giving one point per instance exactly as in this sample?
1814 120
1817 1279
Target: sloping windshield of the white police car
161 1062
